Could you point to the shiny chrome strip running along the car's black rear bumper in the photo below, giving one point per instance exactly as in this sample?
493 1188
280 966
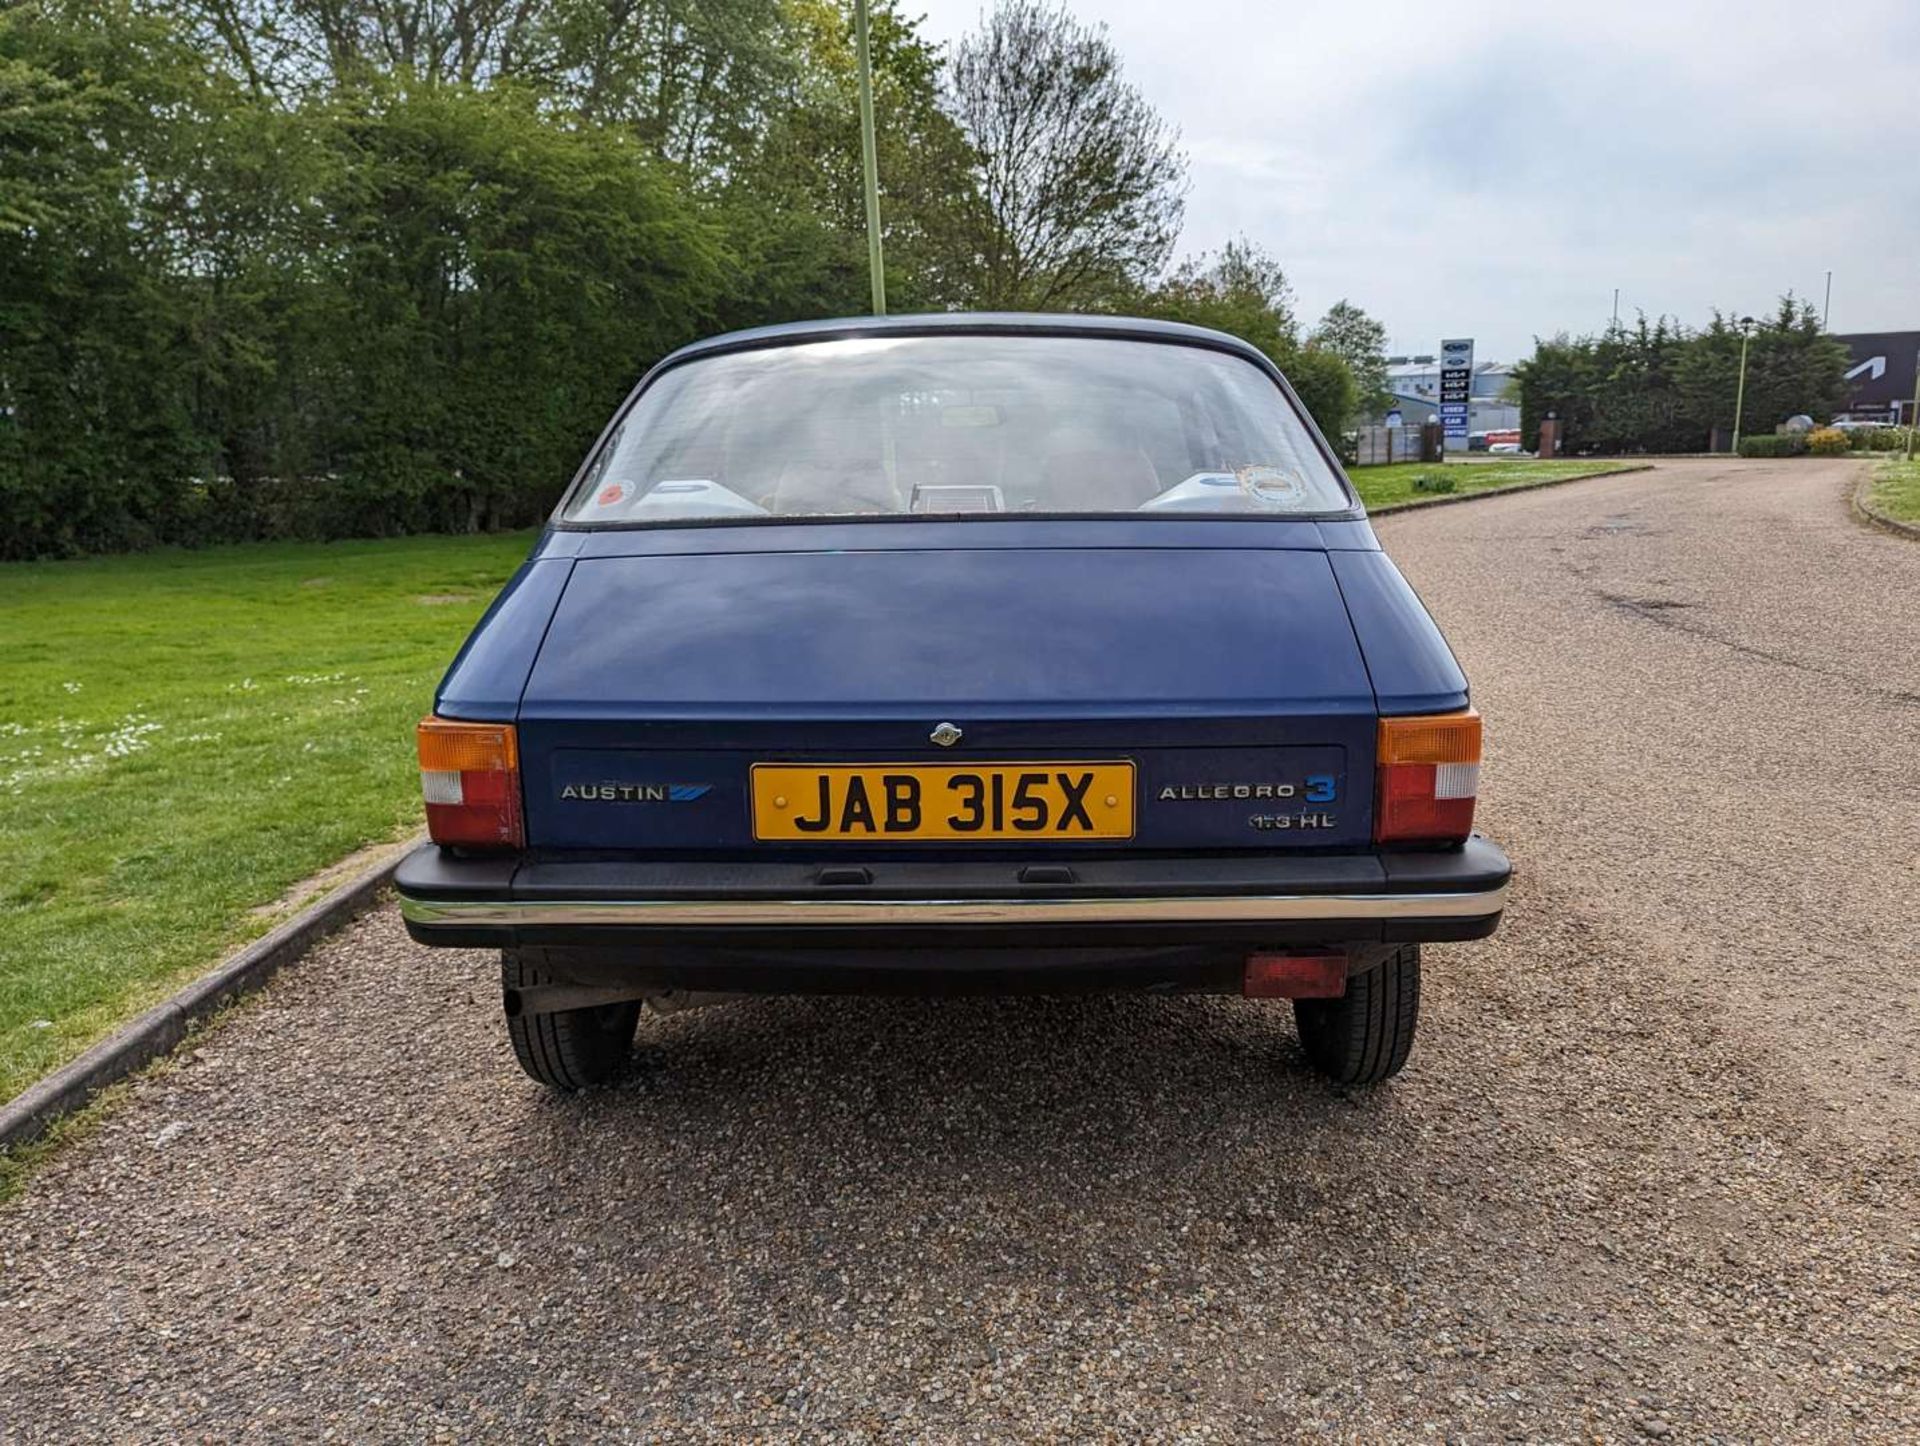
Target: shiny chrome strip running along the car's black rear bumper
696 913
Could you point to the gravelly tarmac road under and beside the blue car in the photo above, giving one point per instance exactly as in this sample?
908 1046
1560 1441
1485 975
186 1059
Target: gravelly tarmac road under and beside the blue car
1652 1172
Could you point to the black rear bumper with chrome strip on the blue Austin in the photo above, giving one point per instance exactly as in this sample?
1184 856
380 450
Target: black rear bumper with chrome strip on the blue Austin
767 909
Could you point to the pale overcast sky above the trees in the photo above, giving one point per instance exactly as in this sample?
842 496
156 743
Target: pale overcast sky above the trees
1497 172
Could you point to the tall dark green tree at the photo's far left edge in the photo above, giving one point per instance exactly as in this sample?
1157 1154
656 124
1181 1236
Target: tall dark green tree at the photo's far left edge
99 372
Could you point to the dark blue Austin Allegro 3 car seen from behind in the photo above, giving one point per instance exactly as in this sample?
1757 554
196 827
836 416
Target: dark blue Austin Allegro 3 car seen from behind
955 654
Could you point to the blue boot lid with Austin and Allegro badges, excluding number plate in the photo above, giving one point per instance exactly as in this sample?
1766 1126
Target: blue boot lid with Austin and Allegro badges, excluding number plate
1228 677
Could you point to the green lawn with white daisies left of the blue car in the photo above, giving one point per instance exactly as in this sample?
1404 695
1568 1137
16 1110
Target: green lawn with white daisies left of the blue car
185 738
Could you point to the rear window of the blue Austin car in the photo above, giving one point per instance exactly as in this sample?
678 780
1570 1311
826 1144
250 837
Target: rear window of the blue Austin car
971 423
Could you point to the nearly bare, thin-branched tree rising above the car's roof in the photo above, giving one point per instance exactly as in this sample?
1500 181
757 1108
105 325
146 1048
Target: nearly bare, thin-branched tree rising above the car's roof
1082 183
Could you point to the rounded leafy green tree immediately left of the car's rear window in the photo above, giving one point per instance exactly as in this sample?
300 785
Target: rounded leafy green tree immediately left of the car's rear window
489 293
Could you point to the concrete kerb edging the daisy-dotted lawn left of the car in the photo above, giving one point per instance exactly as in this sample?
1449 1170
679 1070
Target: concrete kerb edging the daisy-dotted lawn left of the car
145 1040
